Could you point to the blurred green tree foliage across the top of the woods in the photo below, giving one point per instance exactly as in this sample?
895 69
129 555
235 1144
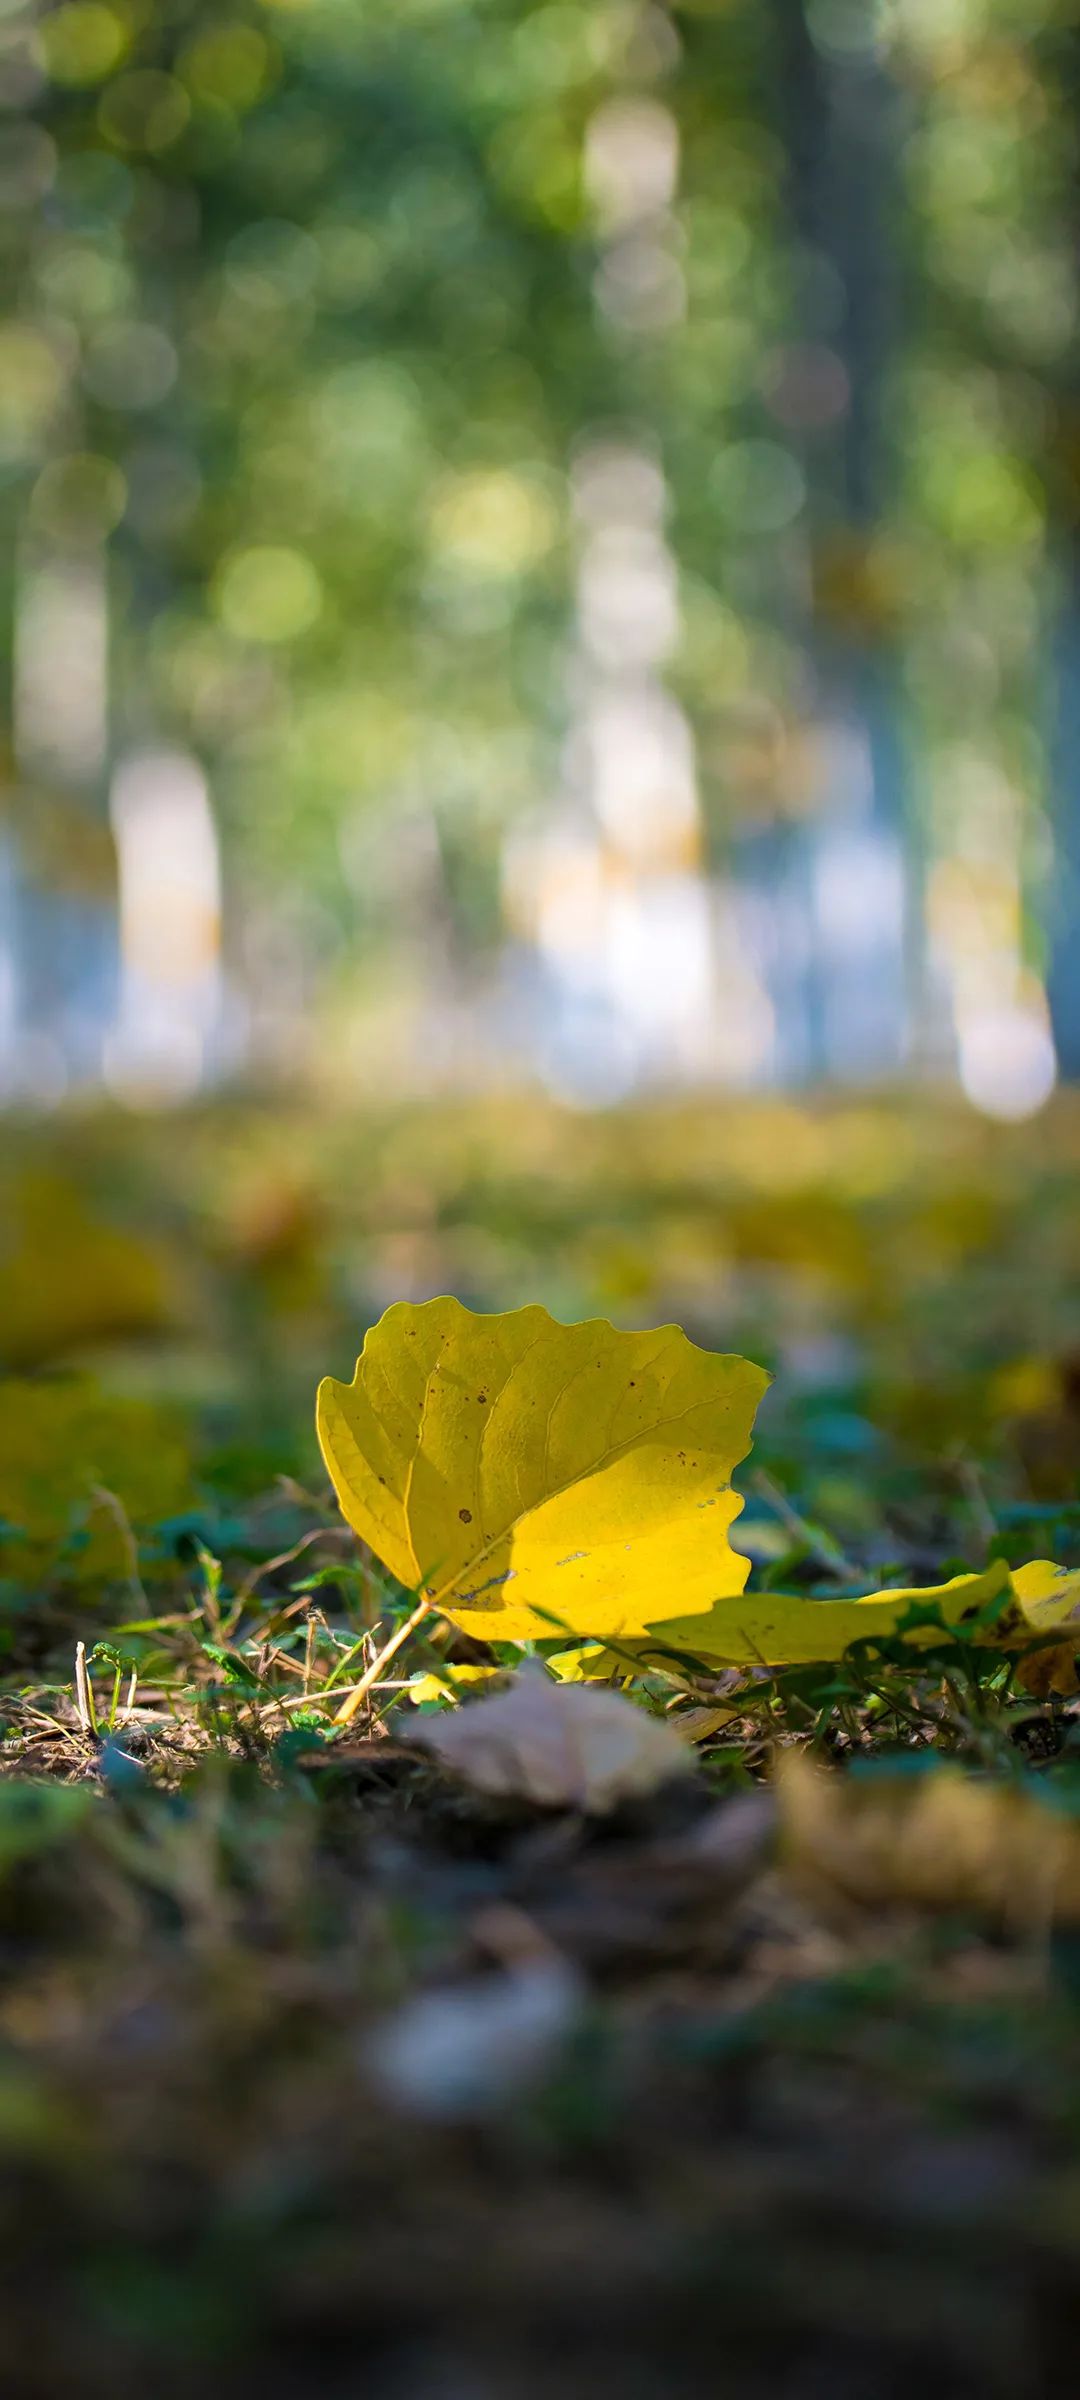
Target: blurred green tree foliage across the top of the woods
313 311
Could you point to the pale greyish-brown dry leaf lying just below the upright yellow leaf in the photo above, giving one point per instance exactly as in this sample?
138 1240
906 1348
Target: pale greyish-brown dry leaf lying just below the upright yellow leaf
558 1744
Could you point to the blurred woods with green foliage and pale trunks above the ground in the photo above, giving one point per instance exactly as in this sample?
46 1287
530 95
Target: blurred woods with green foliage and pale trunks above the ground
541 546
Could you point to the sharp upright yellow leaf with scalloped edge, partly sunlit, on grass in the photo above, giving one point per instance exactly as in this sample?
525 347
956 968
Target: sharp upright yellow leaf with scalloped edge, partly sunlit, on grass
529 1477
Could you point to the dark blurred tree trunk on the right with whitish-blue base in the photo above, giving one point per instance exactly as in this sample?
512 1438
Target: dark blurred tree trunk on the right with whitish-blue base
858 856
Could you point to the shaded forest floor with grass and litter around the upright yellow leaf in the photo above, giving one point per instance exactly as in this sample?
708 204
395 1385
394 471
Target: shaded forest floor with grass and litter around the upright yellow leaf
323 2072
